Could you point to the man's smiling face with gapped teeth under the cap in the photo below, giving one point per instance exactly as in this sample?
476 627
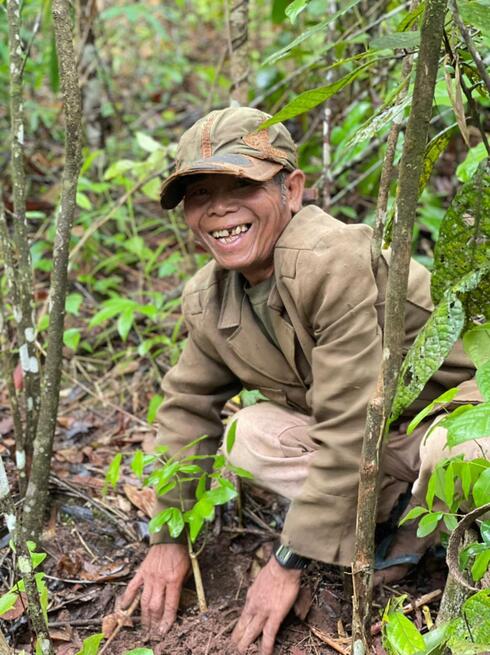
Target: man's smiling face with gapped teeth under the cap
238 220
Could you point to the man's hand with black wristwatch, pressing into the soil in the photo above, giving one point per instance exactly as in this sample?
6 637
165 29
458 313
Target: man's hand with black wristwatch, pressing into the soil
269 600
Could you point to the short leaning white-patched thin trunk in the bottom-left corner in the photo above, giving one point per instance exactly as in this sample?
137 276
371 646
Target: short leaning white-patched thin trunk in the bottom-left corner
24 565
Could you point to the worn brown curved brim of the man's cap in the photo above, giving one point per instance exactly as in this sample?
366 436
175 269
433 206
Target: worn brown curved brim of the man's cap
260 170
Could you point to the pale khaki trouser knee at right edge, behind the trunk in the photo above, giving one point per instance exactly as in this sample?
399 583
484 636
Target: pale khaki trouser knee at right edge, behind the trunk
434 449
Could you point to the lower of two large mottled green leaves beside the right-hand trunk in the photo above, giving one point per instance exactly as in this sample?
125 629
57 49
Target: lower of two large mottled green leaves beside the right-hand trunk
428 352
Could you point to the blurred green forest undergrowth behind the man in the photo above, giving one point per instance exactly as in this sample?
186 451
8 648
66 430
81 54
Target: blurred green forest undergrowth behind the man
340 75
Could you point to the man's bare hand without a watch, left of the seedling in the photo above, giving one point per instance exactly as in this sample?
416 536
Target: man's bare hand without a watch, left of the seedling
161 574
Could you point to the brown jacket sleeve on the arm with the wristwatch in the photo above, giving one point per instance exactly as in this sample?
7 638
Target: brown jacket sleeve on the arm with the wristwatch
340 308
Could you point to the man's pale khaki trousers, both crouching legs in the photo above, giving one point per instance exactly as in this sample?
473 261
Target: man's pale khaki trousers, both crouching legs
272 443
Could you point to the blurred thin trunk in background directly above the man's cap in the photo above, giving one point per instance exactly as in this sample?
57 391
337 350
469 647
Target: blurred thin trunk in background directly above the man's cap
239 56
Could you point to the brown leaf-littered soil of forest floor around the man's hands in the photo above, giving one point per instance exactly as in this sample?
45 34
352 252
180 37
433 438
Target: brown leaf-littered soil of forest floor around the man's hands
95 541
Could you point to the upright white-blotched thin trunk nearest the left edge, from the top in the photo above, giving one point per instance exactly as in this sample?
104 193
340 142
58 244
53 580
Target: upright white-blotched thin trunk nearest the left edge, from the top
22 299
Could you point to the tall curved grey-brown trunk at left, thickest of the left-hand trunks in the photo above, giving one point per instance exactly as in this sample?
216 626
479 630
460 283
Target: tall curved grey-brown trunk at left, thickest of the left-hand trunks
37 490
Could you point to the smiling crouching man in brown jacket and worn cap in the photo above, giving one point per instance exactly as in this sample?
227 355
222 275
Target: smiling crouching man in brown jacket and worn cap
290 306
